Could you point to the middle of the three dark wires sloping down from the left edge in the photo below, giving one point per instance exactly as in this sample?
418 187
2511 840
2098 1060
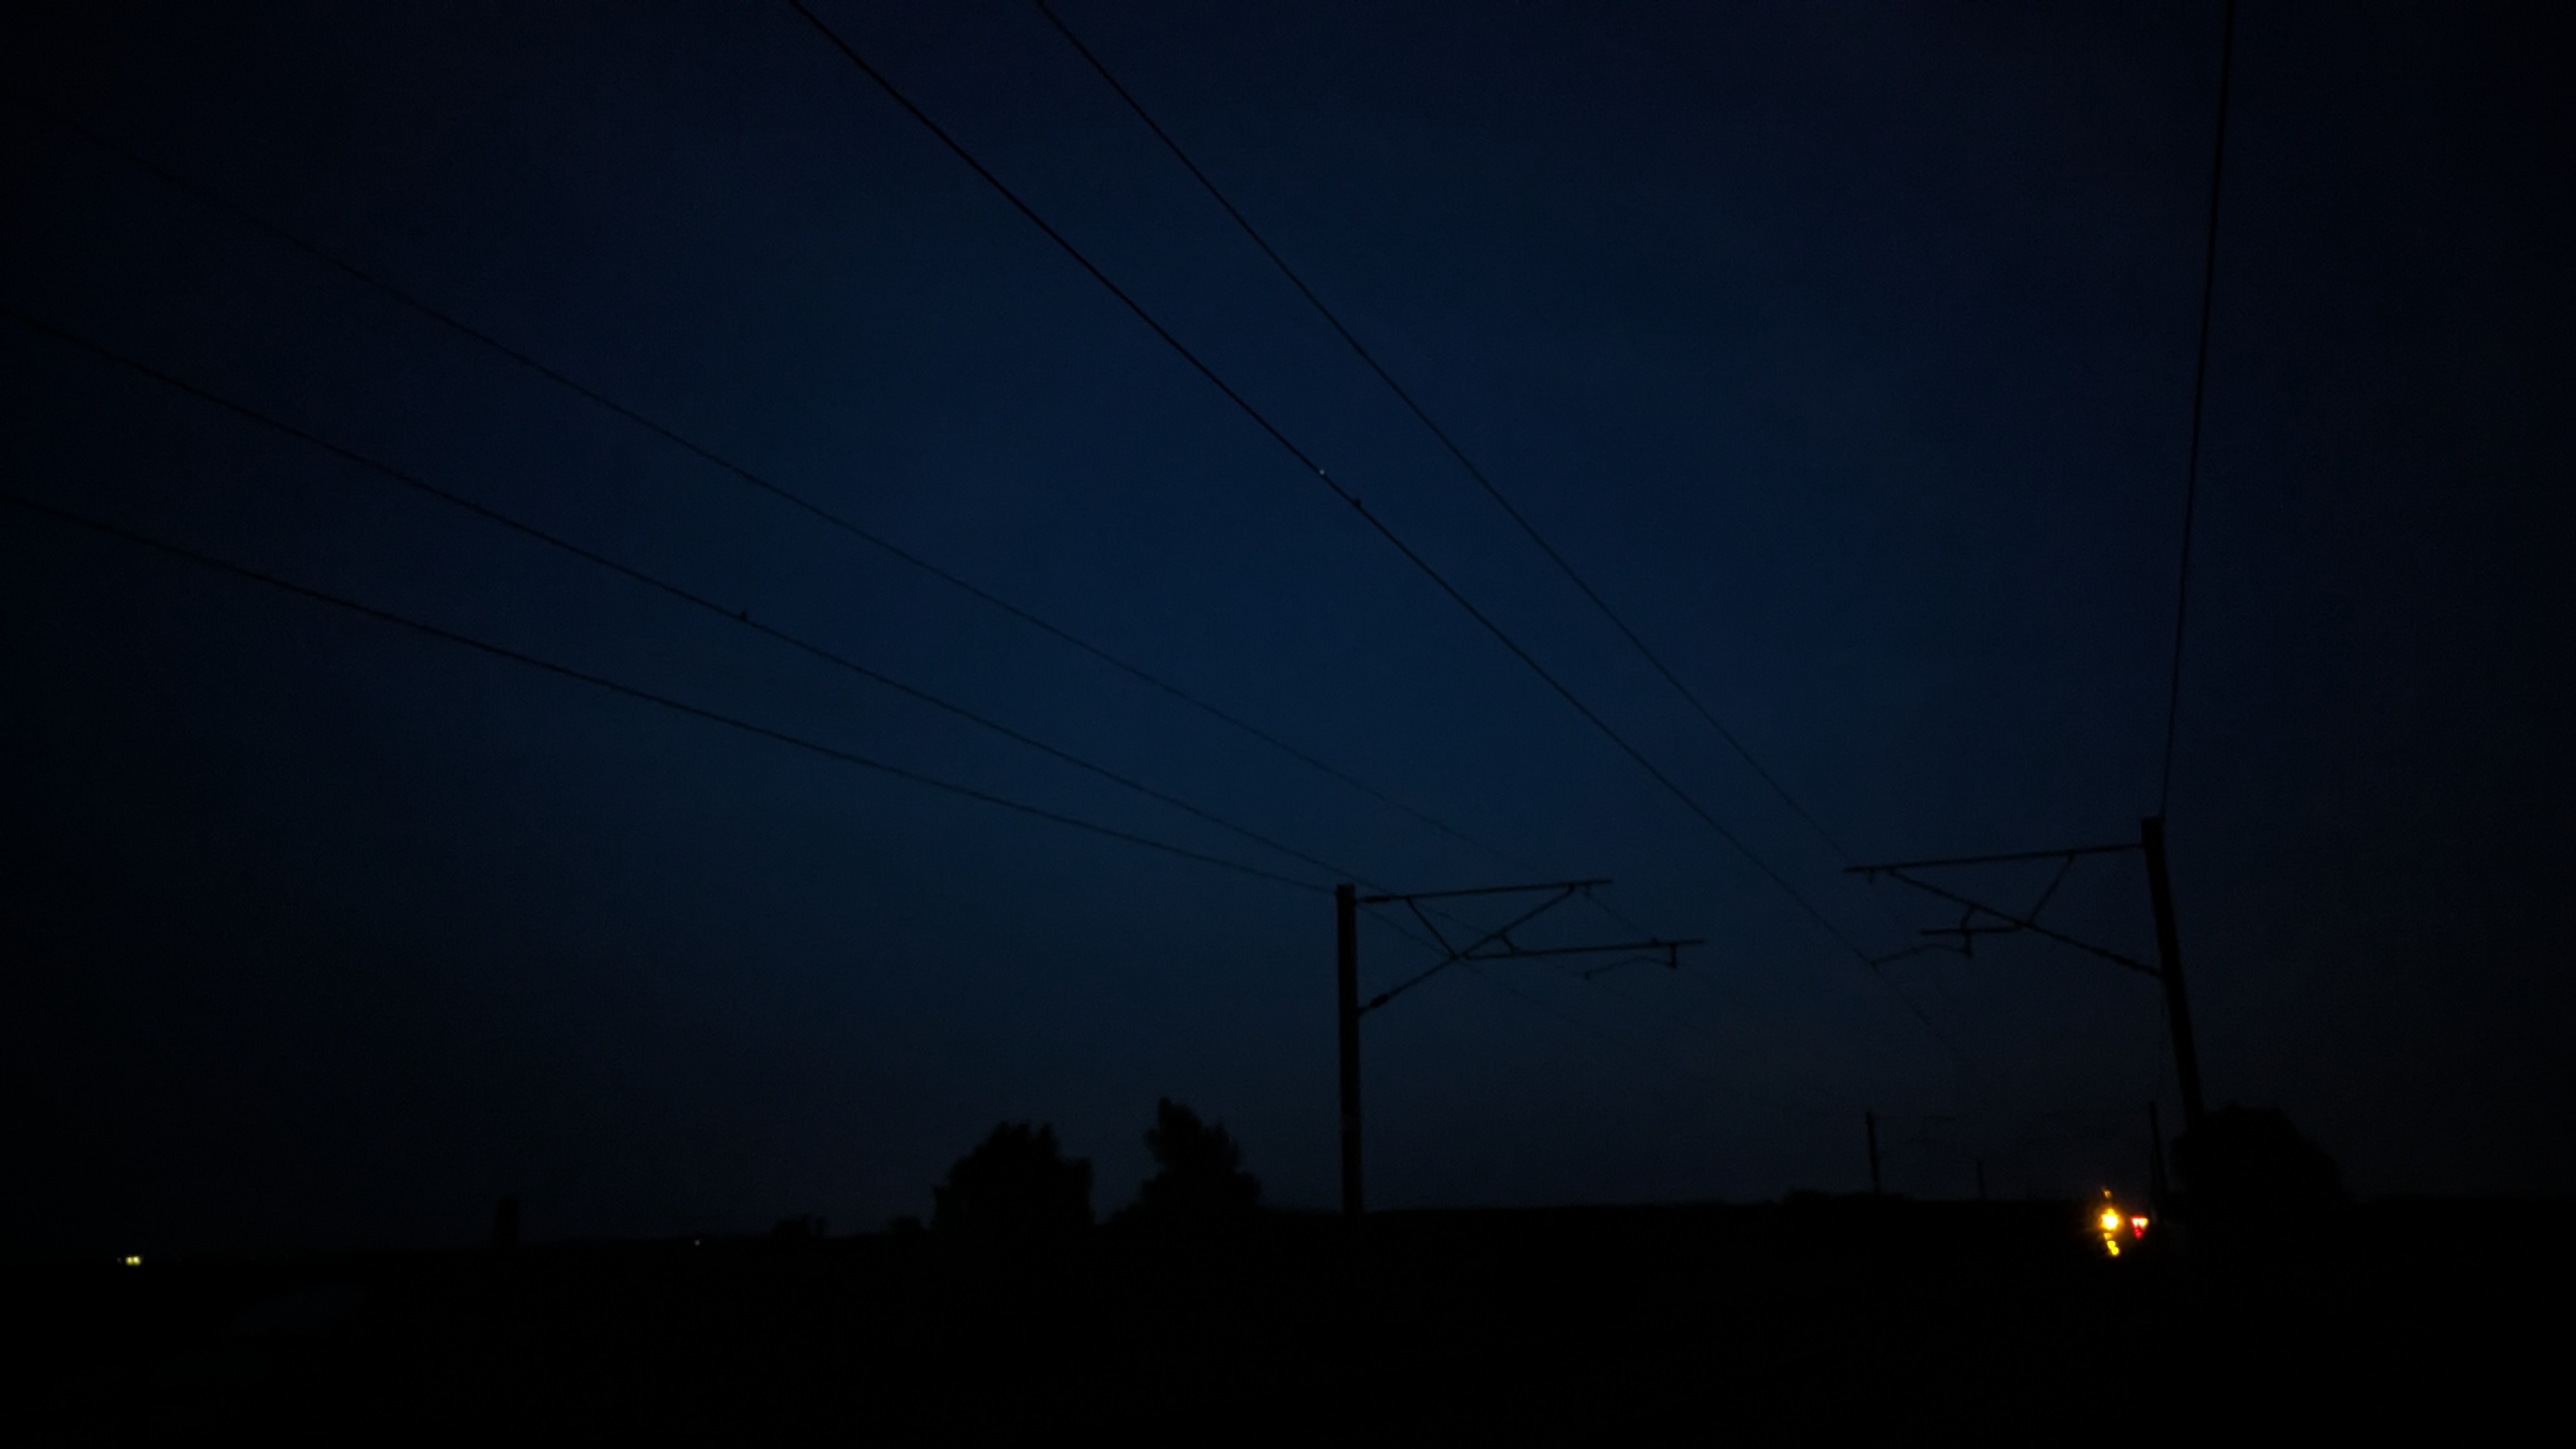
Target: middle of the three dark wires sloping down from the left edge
738 618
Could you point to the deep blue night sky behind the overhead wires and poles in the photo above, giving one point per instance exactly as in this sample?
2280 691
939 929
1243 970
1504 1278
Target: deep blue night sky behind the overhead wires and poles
1843 349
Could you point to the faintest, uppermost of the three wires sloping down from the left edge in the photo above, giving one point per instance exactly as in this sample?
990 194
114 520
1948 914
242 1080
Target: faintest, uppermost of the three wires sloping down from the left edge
753 478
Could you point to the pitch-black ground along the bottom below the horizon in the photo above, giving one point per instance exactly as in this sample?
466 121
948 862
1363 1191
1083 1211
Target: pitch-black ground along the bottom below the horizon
1804 1321
